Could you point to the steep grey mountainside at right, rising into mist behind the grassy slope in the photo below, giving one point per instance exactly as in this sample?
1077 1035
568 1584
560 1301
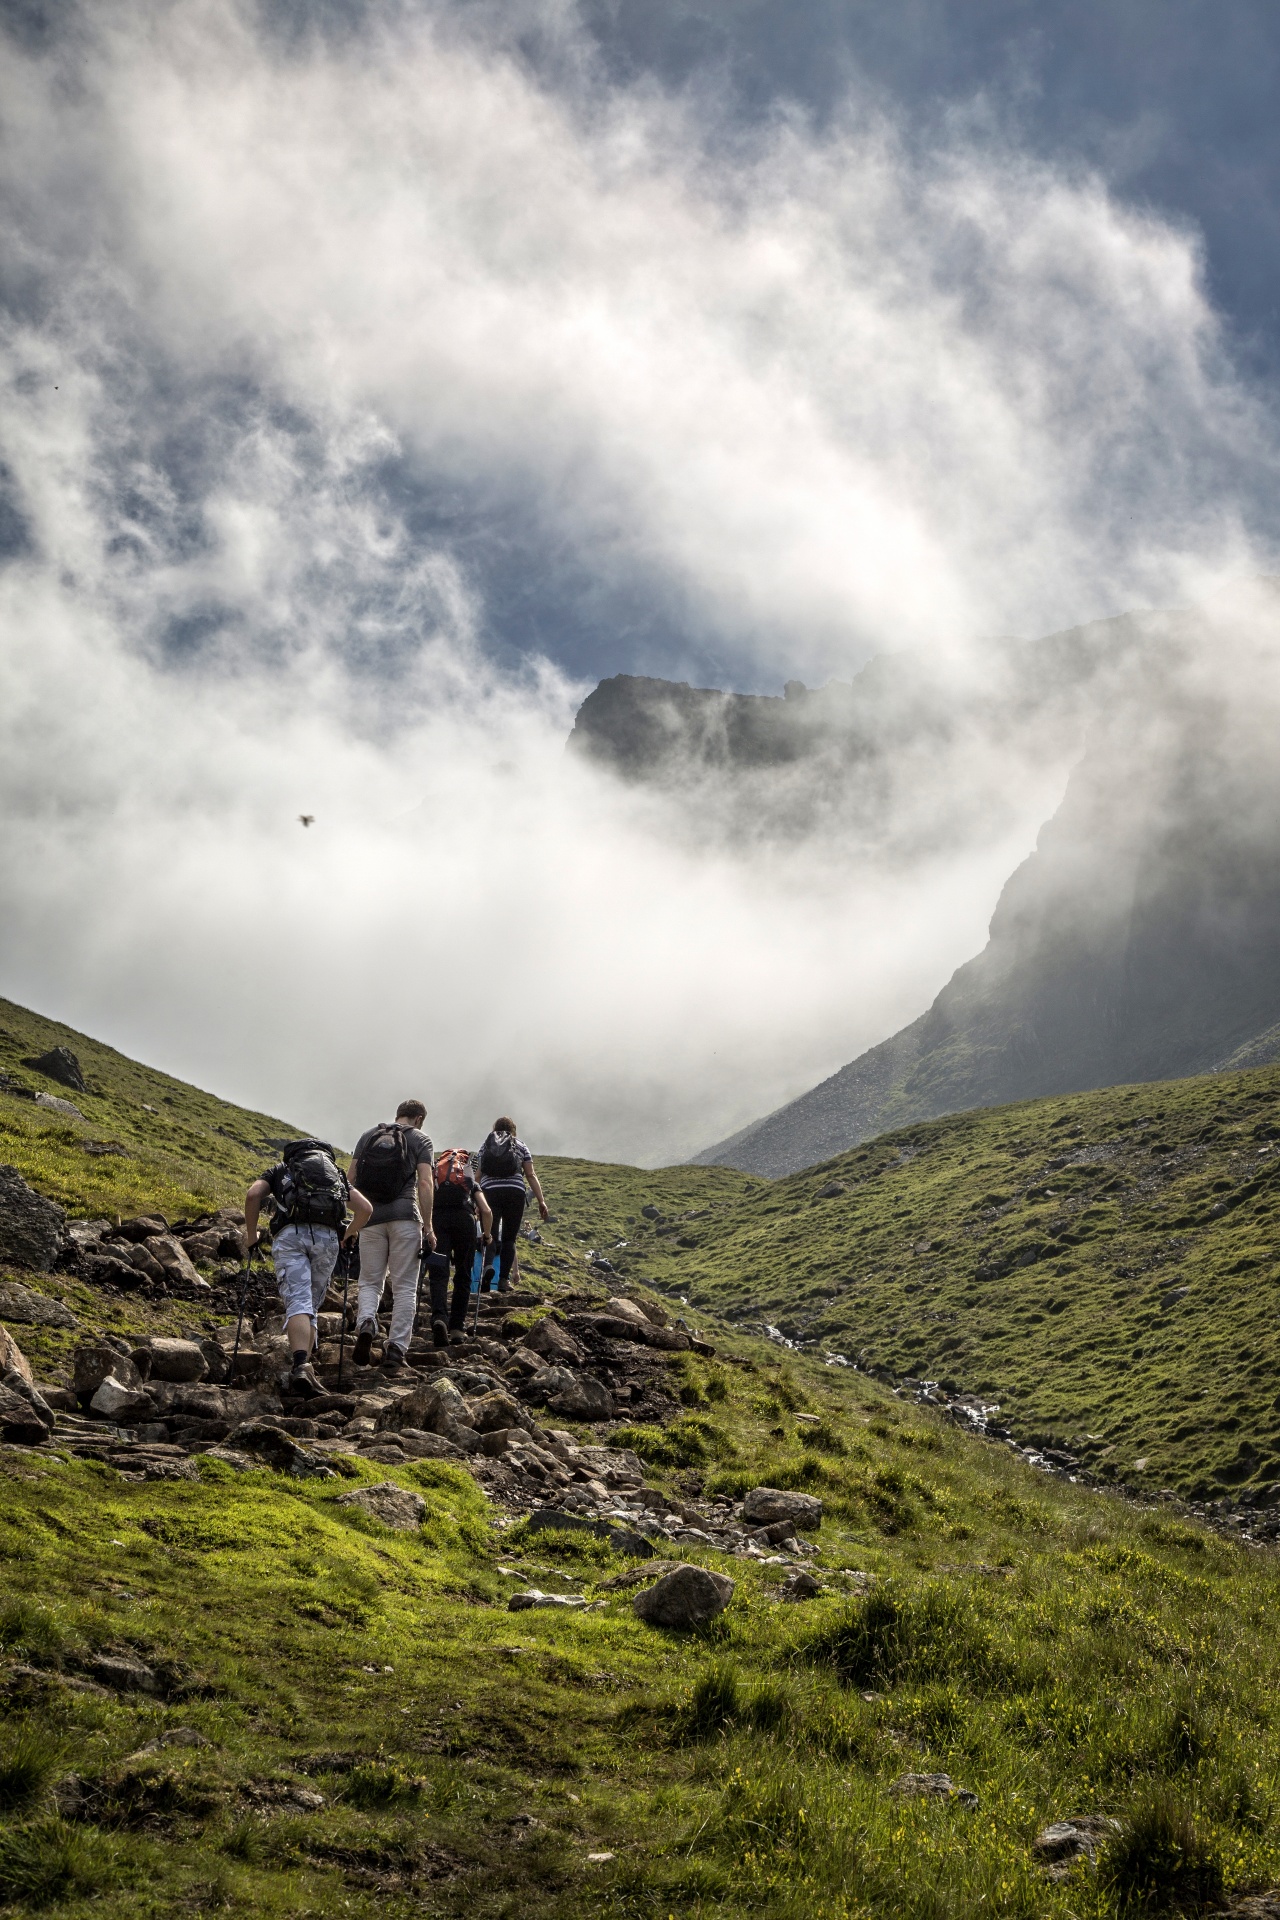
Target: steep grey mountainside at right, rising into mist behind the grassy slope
1141 942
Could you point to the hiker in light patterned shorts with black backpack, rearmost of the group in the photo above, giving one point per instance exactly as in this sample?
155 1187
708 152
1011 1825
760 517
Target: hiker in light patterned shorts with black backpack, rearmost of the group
314 1212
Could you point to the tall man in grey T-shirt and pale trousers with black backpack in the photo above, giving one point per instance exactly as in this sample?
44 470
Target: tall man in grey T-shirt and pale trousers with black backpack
392 1164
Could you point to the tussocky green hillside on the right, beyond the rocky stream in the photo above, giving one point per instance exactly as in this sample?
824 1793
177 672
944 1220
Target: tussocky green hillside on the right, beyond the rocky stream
1122 1305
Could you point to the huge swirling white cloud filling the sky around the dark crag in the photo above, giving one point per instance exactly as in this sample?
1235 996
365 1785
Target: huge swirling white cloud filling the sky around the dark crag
312 343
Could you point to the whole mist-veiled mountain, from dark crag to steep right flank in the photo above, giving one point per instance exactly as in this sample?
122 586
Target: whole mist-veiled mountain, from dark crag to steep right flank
1143 936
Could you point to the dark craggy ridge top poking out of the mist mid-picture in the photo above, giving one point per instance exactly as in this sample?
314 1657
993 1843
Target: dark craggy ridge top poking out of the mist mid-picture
905 759
